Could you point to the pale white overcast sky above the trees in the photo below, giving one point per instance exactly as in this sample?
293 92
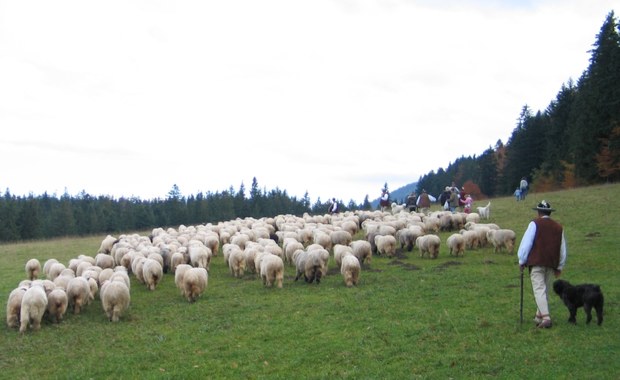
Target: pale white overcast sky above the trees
333 98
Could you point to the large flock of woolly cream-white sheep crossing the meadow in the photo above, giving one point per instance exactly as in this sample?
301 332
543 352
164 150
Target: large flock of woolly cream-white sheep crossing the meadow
259 246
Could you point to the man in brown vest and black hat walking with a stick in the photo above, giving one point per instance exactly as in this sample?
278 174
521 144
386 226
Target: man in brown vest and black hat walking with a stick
543 252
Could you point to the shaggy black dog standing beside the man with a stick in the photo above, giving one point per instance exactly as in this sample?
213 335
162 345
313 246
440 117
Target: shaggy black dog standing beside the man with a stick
575 296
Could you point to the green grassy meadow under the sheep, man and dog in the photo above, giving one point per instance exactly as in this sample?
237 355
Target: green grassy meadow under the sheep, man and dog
448 318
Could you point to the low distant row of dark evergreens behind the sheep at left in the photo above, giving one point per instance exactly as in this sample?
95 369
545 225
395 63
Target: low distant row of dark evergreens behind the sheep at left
45 216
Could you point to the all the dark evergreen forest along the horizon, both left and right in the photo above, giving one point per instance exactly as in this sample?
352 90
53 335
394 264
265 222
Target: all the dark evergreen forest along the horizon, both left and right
574 142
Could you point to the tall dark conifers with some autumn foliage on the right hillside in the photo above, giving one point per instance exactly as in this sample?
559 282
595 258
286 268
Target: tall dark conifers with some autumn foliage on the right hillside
574 142
